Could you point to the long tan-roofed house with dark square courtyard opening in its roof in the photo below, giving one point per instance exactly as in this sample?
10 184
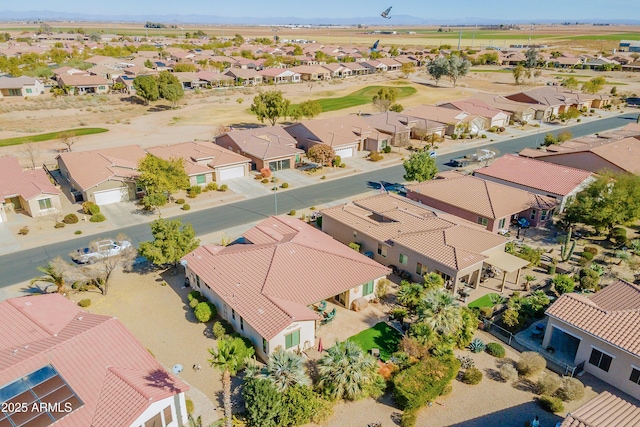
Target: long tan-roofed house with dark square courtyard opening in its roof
415 239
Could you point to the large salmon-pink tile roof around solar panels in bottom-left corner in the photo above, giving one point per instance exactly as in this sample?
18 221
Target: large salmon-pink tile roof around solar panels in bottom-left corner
114 376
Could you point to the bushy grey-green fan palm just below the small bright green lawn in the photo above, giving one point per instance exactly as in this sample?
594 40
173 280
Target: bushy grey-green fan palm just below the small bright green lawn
346 371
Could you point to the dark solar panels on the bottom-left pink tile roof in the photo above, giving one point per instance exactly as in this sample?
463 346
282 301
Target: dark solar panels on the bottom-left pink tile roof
37 400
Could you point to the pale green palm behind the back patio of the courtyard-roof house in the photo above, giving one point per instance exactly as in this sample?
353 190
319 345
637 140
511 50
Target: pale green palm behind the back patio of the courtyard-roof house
440 310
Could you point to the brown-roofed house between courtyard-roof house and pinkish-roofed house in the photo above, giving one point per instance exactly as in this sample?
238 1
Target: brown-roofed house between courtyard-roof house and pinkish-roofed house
487 203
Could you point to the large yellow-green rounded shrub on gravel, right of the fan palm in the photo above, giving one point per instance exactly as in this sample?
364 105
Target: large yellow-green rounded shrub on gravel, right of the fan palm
424 381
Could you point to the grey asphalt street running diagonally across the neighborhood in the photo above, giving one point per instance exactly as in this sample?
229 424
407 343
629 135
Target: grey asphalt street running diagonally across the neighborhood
21 266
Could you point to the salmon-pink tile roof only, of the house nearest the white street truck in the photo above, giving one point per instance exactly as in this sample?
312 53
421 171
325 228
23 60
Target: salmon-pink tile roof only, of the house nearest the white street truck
544 176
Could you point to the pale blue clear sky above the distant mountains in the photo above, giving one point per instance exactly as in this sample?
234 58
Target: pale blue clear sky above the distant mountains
503 10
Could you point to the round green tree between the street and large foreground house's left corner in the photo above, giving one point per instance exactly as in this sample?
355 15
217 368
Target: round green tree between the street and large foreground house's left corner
171 241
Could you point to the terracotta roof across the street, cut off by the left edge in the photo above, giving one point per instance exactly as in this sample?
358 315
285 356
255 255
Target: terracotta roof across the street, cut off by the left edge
28 184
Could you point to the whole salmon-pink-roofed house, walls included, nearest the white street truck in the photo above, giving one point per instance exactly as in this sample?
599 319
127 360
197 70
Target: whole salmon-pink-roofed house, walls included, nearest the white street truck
534 176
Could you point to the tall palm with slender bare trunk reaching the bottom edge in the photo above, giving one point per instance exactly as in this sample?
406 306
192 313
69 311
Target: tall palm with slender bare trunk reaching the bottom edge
230 357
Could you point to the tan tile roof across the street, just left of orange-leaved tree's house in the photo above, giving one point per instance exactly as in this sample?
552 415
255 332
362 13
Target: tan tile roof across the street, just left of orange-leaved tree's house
265 143
